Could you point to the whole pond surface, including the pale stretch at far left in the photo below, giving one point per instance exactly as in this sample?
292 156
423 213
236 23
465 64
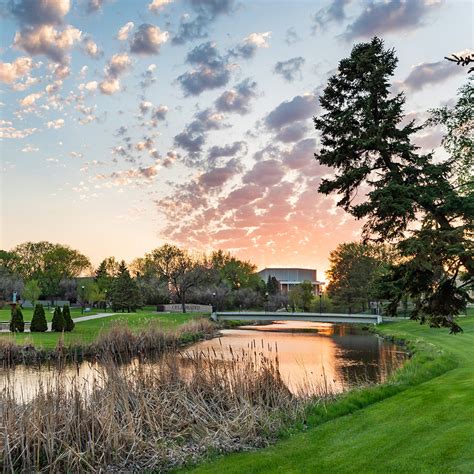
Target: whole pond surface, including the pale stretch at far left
309 354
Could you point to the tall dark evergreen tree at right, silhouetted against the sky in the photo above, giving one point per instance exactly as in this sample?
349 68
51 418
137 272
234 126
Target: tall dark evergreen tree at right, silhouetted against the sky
366 142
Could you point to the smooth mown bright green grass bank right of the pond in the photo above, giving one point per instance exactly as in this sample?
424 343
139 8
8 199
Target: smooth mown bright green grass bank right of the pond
425 427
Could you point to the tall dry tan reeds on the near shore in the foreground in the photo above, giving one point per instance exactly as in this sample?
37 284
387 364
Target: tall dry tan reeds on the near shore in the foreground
147 417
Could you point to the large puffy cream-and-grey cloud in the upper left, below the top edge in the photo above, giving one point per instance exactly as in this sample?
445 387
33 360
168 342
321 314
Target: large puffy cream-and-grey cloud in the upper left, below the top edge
46 40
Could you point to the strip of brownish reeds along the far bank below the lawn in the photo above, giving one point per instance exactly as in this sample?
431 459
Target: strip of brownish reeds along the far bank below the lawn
119 343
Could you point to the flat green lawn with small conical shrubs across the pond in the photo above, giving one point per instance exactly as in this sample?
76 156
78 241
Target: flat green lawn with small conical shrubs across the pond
87 331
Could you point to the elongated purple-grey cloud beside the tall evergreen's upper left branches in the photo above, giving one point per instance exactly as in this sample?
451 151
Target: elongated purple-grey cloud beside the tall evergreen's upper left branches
299 108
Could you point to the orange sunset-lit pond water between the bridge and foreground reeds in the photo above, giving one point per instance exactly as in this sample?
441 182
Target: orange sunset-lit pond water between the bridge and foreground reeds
319 353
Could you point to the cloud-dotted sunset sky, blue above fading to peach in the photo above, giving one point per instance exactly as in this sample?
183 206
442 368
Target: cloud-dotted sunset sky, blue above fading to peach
125 124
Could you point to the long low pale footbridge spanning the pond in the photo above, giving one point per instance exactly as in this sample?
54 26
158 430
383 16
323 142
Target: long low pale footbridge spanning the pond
283 316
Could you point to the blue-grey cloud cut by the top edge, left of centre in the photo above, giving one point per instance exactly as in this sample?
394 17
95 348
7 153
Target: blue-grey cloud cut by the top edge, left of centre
206 12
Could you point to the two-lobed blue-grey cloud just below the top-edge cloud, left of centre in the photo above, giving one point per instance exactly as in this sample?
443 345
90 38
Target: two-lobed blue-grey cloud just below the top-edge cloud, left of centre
211 70
